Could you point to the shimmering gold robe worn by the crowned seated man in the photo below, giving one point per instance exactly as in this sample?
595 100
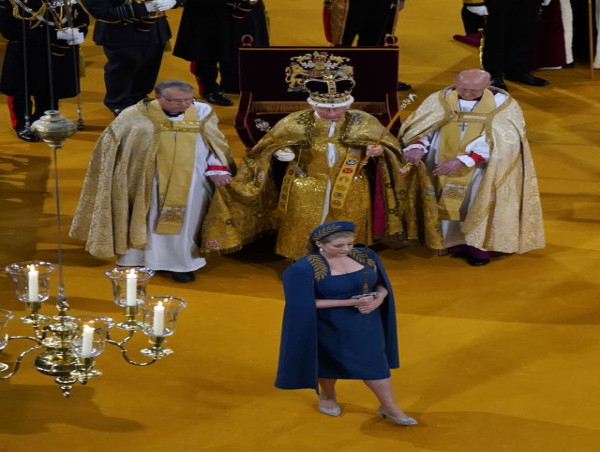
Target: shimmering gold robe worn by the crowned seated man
247 208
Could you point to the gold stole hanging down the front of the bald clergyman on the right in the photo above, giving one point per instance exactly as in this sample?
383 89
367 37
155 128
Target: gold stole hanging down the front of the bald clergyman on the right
452 188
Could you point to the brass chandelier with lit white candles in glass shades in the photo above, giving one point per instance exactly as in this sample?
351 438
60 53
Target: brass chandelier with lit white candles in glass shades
67 346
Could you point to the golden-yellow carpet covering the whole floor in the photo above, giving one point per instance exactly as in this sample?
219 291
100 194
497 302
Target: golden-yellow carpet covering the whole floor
503 358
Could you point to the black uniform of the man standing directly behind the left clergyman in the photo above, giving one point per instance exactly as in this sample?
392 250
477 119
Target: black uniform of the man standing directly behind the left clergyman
133 44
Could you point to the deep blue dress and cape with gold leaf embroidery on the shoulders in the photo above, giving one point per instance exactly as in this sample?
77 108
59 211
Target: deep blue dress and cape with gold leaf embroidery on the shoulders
338 343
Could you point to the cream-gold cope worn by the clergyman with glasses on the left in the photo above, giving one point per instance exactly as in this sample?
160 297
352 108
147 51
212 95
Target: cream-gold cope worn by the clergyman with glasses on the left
113 207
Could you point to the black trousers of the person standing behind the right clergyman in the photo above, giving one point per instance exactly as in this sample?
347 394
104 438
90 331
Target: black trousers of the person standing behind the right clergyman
508 35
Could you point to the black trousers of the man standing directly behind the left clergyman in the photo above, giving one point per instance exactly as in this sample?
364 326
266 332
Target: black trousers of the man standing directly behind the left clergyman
130 73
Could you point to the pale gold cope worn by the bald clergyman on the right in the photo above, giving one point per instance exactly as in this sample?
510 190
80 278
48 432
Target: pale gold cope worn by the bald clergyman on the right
506 215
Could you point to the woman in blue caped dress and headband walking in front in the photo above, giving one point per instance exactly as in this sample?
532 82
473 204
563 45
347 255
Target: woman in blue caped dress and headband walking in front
339 322
